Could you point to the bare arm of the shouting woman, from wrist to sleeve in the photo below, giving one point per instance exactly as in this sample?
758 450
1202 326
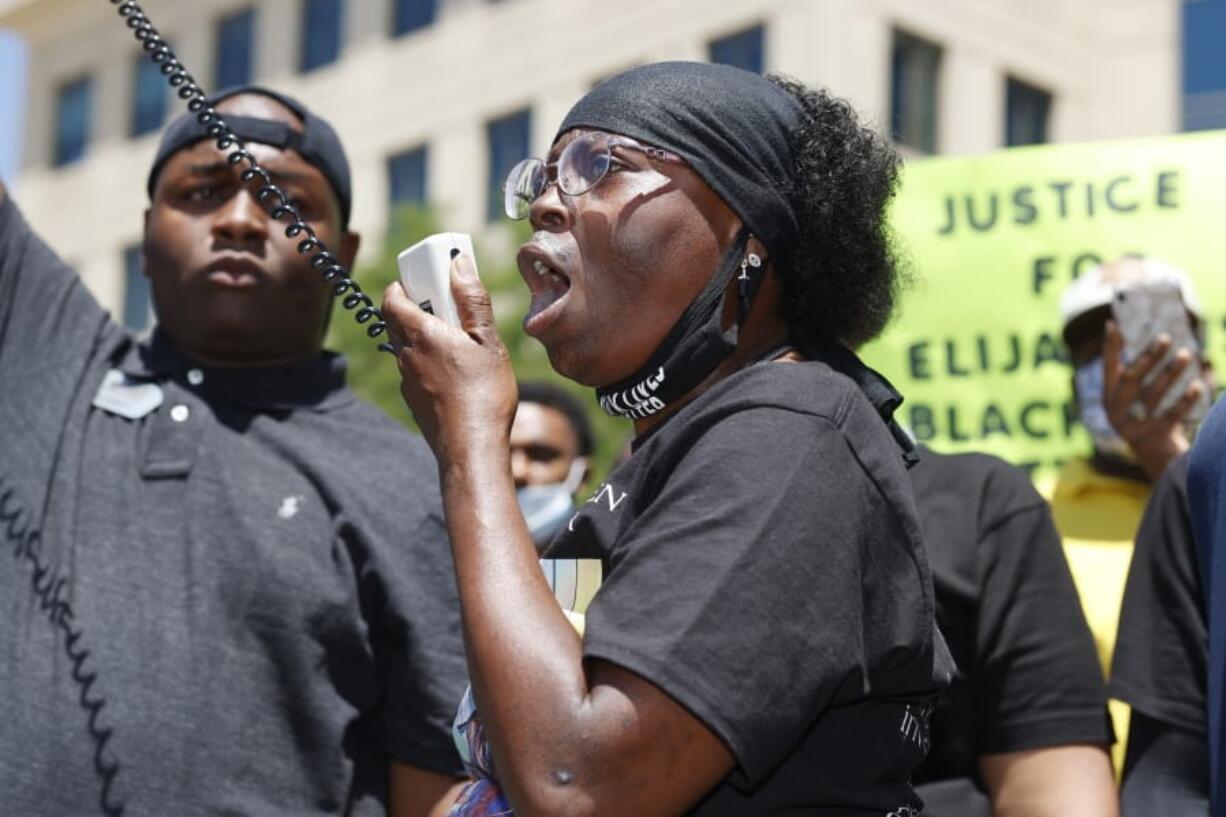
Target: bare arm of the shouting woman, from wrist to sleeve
566 742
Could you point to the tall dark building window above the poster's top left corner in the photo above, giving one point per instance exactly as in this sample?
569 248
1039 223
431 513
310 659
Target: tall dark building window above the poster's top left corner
914 93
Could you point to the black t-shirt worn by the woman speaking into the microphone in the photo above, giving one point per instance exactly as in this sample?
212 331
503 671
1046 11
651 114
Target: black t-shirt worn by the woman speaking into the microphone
764 567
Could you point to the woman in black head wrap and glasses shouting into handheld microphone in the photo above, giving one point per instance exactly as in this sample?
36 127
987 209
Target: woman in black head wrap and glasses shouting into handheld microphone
708 246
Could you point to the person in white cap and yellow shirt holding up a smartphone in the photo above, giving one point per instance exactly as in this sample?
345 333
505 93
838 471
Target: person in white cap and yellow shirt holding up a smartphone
1137 426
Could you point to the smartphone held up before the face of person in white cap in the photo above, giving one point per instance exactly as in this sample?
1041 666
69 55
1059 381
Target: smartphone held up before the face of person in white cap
1148 311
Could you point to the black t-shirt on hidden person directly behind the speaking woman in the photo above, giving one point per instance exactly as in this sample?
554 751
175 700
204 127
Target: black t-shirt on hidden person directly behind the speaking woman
1028 674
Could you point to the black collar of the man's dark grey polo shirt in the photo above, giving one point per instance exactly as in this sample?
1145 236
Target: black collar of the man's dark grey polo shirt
317 385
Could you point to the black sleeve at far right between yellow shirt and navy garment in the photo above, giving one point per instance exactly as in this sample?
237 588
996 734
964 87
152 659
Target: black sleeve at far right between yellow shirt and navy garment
1162 651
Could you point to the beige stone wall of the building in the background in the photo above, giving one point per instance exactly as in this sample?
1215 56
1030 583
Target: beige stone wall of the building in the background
1113 67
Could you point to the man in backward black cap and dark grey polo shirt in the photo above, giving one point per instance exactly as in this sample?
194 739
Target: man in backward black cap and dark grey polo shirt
229 589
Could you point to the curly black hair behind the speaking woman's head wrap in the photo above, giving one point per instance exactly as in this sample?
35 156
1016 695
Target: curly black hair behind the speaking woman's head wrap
844 277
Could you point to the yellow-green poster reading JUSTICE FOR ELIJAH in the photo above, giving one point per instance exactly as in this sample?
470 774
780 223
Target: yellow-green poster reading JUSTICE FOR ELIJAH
992 242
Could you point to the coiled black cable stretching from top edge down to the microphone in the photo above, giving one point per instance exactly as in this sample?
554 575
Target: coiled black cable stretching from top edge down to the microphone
269 194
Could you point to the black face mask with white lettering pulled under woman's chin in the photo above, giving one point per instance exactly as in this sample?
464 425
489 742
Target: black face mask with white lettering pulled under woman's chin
695 347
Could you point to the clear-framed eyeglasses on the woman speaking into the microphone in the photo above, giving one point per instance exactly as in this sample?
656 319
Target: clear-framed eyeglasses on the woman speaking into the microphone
581 167
